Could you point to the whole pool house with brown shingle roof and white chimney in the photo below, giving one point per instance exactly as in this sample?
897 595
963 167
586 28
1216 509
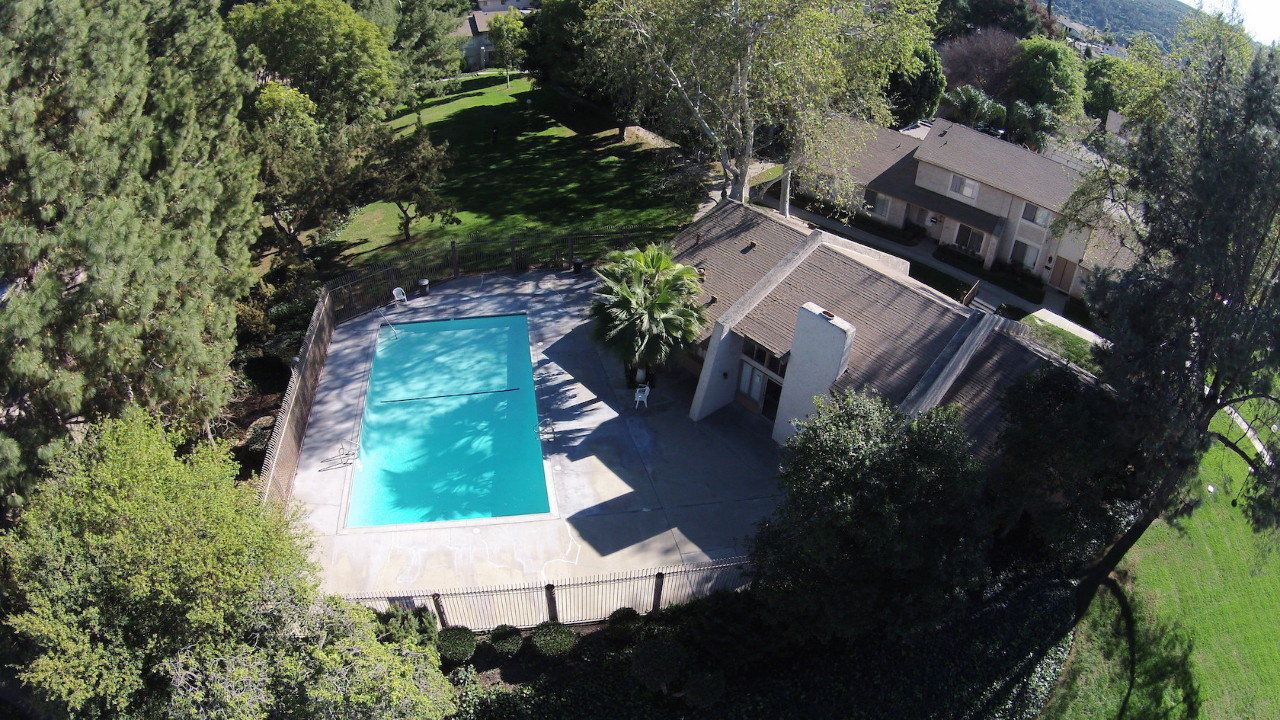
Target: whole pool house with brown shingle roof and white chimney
801 313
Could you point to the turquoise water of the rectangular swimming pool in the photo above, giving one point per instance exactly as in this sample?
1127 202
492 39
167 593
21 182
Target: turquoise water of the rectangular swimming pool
450 430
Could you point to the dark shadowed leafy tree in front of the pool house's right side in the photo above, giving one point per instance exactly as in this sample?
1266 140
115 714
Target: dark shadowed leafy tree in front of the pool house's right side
883 527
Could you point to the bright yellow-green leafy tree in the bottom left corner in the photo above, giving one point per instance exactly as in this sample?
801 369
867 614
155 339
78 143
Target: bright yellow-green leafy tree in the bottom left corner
148 585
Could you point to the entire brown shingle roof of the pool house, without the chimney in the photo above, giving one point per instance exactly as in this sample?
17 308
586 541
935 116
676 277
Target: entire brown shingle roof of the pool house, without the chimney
902 327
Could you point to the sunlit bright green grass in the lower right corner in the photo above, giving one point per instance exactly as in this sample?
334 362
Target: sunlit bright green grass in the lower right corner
1210 580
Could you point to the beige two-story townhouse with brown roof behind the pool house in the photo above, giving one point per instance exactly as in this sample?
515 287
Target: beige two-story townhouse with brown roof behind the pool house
988 198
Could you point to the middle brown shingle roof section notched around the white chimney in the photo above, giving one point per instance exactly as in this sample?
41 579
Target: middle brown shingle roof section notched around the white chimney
898 329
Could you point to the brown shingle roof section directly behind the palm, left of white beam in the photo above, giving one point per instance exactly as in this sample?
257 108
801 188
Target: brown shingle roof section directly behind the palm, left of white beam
721 244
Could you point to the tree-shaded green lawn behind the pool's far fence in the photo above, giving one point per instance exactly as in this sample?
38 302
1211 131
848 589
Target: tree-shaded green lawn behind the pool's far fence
552 168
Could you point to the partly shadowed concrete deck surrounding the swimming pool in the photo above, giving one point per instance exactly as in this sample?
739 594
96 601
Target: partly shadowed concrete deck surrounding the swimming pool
632 489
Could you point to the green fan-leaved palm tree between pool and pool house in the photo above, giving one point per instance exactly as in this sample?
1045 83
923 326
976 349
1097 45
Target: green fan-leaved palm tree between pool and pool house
647 308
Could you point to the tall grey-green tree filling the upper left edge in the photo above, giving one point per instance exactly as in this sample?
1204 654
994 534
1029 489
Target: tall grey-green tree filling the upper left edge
126 215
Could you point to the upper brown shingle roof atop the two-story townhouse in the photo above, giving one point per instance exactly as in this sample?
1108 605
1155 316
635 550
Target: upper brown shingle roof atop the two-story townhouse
1000 165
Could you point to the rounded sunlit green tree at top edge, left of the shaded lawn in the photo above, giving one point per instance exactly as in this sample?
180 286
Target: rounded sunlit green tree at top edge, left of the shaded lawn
324 49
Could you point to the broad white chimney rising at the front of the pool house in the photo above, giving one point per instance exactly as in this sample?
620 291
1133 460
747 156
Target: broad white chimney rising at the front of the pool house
820 354
